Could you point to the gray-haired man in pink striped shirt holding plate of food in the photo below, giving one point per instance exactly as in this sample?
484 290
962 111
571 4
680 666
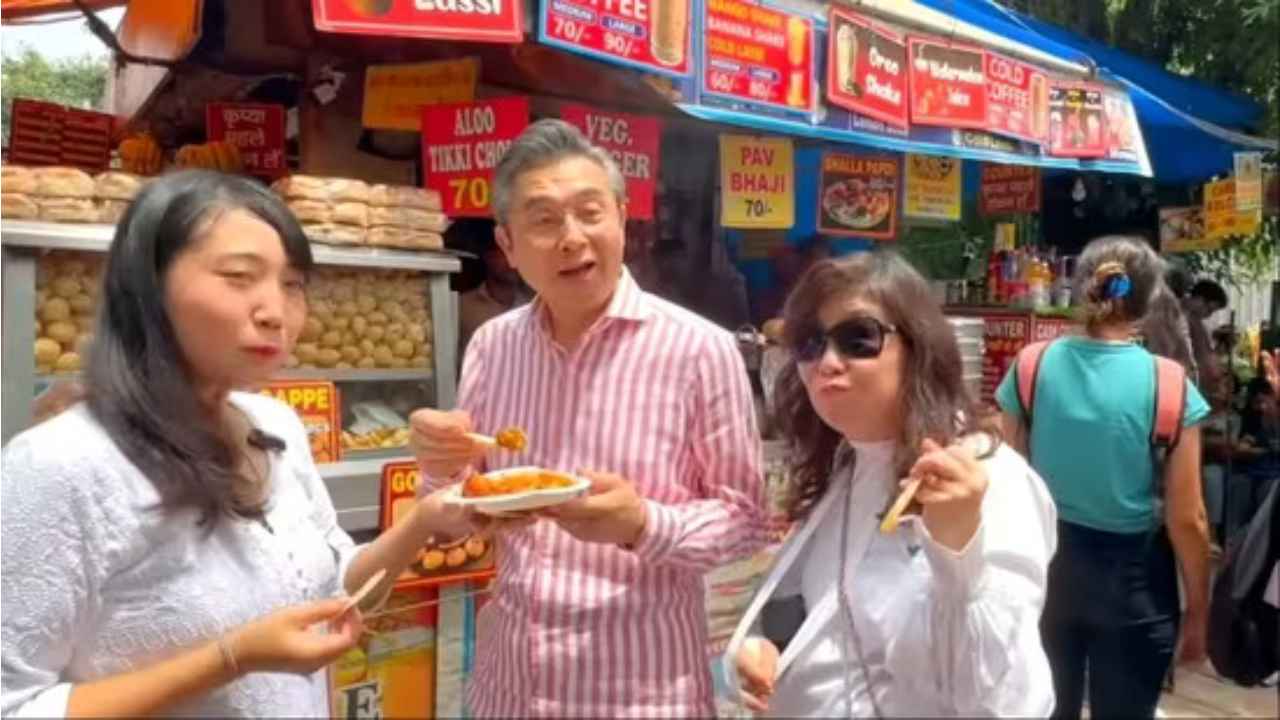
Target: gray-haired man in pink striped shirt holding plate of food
598 608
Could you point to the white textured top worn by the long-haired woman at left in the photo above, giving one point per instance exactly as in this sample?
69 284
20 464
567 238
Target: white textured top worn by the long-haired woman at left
97 584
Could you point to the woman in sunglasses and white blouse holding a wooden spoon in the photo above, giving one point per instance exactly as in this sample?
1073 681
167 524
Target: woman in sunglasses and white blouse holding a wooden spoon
941 617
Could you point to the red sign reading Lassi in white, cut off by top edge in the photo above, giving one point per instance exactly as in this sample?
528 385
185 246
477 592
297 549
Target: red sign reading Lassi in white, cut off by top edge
483 21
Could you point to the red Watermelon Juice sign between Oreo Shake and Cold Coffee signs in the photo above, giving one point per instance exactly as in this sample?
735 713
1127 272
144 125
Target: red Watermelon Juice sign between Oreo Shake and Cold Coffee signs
948 85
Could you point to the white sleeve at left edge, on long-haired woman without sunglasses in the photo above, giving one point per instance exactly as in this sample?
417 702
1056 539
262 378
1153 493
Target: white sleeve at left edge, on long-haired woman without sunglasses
54 560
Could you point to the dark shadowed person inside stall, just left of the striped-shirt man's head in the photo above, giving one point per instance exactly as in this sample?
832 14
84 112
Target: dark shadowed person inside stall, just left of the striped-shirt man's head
497 289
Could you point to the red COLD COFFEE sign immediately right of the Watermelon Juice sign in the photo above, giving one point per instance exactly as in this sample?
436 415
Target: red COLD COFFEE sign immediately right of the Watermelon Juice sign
1017 99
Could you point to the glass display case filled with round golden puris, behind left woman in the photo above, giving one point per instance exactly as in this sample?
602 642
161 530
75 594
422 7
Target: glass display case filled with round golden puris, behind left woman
382 327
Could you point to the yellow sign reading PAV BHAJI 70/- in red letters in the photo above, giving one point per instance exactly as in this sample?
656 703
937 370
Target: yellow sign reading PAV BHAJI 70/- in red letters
757 183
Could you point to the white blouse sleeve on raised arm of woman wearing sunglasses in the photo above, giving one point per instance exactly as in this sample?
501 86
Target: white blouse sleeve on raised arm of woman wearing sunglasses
976 642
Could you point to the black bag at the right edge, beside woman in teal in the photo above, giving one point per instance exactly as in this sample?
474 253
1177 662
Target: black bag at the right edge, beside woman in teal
1244 632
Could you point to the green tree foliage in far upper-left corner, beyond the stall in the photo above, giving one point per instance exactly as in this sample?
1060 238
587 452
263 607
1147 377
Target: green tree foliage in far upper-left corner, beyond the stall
80 83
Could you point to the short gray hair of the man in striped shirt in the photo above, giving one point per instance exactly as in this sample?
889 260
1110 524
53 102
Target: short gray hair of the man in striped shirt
541 145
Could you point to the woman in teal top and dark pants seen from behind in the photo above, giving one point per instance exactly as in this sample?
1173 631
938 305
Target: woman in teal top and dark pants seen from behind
1122 522
